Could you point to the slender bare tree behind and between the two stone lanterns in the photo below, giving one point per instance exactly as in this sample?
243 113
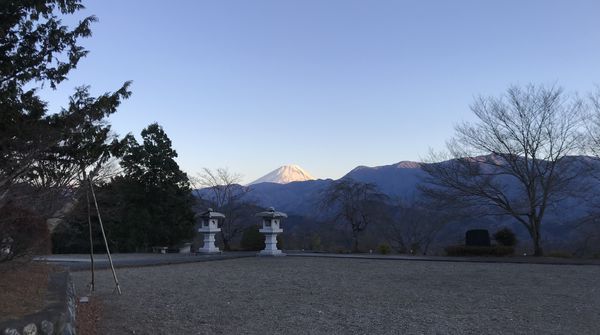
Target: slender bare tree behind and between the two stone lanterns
225 196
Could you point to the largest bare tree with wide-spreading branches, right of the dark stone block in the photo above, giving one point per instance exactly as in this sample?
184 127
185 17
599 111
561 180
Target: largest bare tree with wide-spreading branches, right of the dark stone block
527 135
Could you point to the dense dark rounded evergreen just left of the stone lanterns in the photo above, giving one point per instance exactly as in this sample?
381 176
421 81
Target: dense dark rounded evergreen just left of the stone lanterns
153 197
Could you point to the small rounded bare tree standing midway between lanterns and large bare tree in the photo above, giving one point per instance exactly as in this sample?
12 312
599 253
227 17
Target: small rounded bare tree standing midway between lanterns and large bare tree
356 203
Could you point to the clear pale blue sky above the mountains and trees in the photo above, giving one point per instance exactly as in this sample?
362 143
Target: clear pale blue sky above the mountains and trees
327 85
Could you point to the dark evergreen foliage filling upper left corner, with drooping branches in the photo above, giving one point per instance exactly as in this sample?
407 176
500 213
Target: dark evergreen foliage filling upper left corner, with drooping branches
42 154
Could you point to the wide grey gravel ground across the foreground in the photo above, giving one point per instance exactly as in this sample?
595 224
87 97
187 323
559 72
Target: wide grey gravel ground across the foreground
292 295
